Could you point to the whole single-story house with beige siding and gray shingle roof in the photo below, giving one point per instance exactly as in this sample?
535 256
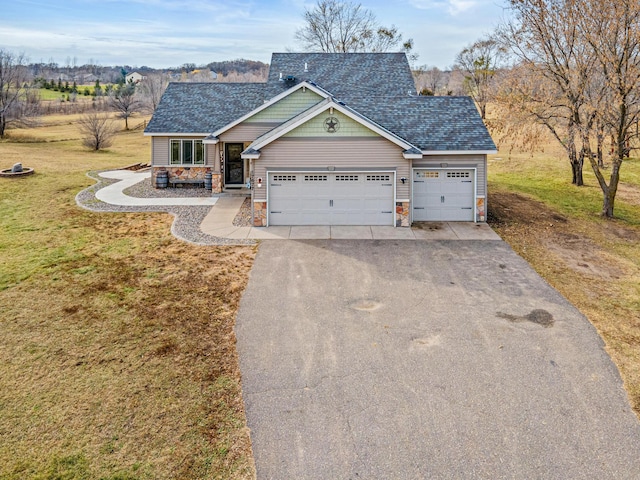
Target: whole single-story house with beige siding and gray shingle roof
329 139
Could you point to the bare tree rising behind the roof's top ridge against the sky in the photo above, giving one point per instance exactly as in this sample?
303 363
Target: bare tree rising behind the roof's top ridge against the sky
338 27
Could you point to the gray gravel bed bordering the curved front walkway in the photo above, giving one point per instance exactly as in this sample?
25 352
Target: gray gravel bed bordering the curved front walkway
187 219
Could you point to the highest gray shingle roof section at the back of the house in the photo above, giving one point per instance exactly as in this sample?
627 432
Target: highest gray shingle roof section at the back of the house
345 75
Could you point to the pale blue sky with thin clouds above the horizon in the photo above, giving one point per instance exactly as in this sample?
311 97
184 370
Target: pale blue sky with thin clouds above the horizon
168 33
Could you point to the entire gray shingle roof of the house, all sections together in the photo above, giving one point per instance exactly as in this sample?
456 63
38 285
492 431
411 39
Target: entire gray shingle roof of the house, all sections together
376 85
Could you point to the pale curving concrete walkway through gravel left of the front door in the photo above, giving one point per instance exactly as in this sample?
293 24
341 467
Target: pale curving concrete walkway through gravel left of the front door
113 194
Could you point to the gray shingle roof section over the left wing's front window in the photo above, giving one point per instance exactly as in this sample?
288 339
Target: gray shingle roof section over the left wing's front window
204 107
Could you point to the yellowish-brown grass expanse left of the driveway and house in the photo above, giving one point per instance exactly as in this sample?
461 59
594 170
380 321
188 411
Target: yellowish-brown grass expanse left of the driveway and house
117 358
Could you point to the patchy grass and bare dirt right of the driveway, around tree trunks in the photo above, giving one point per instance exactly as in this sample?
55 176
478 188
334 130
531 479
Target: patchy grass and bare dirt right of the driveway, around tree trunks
593 262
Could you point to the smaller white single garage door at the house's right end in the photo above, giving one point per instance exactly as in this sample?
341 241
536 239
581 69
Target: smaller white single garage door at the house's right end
443 195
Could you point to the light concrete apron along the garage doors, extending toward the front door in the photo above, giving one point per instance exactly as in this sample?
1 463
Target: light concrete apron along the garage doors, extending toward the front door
219 223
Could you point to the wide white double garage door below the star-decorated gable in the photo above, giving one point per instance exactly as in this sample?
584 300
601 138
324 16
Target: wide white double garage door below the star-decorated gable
331 198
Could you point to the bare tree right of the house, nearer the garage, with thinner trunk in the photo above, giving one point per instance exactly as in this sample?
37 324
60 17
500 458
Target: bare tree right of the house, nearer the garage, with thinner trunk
554 71
